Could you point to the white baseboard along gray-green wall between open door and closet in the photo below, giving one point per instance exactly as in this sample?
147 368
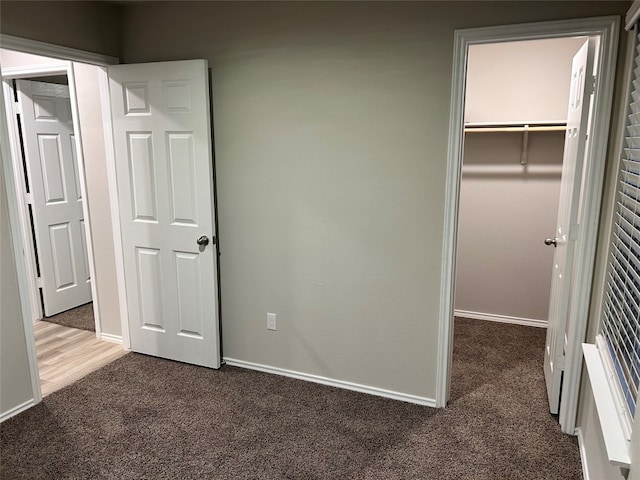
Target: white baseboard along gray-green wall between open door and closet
380 392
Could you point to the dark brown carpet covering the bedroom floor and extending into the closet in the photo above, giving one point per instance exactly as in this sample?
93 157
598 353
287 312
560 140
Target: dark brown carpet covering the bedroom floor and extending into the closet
142 417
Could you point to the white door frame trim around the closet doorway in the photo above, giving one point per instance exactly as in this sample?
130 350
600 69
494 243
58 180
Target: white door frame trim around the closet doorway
607 29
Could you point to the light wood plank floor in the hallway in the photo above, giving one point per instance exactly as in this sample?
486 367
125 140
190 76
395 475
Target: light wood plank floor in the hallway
68 354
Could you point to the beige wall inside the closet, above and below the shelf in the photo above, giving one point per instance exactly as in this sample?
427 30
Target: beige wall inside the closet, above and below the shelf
507 209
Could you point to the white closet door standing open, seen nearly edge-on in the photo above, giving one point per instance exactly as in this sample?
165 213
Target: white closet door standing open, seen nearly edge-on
567 229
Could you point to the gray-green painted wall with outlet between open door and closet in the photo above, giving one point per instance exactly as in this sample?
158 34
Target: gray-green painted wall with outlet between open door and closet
330 140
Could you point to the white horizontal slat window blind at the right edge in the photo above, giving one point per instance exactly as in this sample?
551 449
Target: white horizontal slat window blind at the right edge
621 311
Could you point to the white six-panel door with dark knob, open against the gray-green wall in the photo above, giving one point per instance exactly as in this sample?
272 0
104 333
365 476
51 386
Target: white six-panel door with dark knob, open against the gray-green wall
163 153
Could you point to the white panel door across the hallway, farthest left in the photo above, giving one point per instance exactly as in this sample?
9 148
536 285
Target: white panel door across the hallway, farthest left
51 159
